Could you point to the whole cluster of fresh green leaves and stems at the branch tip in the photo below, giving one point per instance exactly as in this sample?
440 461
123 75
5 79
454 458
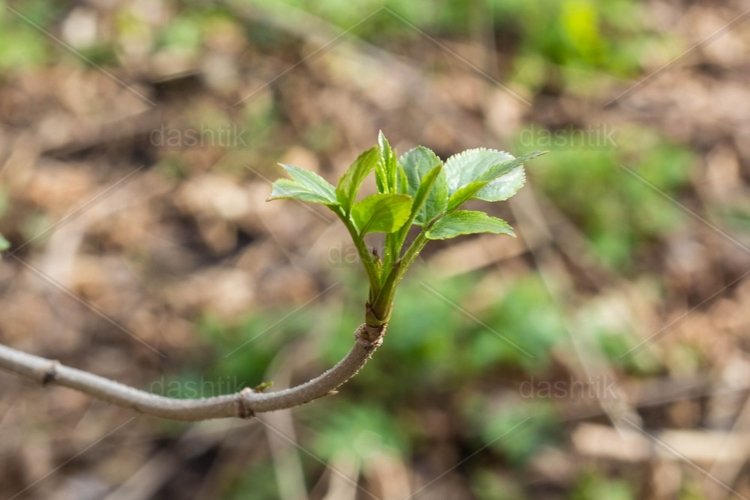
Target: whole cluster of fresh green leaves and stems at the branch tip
417 190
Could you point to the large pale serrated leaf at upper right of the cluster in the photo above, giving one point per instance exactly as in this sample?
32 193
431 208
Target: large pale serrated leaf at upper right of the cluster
502 172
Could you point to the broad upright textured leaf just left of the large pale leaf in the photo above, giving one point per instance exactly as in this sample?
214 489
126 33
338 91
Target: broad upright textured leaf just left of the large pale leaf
418 163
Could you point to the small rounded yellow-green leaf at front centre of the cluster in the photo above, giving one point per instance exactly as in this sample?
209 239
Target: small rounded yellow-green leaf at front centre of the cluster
383 212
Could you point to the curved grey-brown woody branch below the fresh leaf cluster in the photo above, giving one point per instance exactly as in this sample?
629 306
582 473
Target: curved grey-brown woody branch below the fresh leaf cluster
243 404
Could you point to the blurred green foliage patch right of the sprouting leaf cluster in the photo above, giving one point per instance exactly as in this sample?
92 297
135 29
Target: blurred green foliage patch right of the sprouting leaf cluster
615 191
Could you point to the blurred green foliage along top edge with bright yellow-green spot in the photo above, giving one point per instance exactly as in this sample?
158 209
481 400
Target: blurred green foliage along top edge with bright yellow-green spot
571 39
